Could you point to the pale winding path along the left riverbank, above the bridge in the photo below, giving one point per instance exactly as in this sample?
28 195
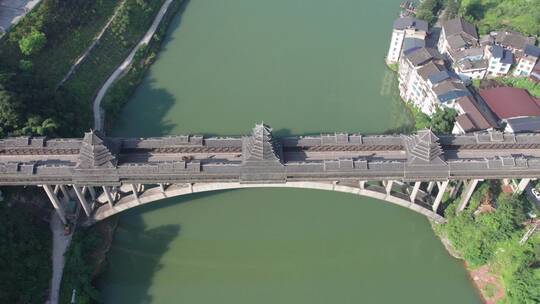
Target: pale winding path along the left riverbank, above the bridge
124 67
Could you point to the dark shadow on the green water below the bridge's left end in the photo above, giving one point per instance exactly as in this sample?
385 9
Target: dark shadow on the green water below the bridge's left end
139 251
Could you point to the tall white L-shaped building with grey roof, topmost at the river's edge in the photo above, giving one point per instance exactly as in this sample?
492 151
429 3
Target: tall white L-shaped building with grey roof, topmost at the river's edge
406 27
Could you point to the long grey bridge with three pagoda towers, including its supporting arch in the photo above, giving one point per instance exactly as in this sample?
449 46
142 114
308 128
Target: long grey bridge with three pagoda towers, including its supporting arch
402 169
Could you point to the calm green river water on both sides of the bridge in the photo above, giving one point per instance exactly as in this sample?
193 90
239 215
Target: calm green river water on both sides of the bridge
304 67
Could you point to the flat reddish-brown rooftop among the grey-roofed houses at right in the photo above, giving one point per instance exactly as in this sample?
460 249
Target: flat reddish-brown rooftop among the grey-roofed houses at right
508 102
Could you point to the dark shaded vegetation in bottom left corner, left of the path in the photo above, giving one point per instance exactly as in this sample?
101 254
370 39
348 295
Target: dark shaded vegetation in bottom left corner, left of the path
25 253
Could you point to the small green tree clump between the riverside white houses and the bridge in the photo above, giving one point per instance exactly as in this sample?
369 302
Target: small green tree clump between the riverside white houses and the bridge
442 121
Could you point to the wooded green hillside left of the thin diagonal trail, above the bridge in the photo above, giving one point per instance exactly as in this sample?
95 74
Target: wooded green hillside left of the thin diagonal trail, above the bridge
35 55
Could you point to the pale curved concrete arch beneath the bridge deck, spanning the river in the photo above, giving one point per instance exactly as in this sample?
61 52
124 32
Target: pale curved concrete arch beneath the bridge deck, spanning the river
159 193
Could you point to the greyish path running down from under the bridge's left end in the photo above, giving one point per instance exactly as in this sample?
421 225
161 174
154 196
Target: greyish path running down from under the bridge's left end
60 244
